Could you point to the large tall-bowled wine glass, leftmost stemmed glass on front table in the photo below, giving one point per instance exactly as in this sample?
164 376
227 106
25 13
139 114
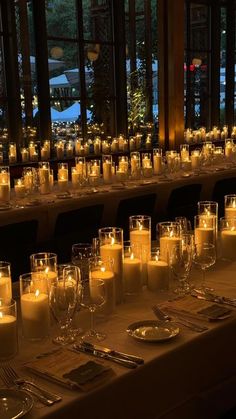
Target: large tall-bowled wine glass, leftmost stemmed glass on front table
63 298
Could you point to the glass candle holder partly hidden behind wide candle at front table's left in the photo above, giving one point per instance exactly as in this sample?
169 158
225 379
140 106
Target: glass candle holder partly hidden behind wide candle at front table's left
44 263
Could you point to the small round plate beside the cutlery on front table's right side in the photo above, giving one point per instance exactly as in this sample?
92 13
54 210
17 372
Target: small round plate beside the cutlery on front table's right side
153 330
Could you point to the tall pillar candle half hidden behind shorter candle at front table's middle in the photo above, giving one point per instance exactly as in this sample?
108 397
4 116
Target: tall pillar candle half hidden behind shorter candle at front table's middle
115 252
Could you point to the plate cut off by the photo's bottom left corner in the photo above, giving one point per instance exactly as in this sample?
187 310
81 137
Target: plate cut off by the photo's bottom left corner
14 403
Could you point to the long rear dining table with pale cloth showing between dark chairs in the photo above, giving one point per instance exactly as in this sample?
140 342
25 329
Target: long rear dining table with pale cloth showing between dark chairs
46 208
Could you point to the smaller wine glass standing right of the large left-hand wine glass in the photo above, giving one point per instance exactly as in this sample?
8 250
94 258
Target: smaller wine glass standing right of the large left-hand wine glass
93 297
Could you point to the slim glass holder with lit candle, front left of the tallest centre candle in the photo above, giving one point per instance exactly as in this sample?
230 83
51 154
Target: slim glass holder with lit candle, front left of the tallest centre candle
132 270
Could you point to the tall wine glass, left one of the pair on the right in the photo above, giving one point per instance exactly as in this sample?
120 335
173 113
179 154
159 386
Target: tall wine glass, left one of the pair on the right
180 262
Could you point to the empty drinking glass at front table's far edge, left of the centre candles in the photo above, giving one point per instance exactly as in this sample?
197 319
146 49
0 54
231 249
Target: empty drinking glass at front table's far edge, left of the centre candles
81 252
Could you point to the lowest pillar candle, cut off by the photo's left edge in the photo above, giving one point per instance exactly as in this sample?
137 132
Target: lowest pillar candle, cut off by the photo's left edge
8 336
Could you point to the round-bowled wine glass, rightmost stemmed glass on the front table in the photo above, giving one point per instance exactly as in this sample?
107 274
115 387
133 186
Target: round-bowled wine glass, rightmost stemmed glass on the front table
204 256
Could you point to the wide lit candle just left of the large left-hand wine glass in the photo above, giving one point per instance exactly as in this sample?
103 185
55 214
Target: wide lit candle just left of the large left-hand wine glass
35 315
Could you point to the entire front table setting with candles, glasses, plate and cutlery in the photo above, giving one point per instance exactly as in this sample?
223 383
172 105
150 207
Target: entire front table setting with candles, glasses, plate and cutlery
76 330
